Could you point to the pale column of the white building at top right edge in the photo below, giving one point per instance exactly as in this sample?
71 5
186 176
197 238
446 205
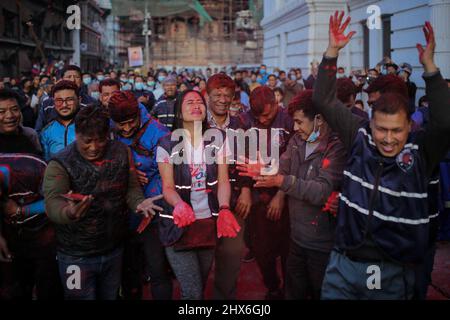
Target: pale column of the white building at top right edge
440 20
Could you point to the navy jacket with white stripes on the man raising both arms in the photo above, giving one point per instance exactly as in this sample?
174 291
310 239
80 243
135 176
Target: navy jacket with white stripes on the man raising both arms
384 201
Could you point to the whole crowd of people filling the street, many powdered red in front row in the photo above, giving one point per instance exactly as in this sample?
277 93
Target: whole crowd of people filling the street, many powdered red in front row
90 175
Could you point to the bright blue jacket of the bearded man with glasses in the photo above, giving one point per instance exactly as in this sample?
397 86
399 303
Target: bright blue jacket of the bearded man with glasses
55 136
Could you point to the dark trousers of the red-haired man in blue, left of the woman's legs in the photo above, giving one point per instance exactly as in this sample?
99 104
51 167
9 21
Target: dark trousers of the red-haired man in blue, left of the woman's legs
144 255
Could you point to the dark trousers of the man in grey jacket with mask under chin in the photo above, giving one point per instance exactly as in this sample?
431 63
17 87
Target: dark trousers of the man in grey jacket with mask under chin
305 271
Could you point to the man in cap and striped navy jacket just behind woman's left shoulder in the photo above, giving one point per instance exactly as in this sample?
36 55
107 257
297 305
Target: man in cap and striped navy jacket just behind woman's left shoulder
164 107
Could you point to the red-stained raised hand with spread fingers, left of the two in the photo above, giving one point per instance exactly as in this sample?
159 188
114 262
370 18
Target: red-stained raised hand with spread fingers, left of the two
337 38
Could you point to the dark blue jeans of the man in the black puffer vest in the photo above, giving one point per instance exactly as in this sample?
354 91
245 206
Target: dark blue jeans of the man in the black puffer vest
91 278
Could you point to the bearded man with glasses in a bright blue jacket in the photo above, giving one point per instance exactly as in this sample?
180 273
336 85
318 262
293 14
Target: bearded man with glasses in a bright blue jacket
59 133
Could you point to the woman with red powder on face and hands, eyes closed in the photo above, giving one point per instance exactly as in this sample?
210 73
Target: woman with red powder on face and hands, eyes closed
195 190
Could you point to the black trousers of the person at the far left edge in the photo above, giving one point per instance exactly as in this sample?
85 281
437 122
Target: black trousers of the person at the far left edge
33 268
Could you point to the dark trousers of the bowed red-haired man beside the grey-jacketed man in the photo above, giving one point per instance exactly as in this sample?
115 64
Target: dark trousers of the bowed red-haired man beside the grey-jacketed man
270 240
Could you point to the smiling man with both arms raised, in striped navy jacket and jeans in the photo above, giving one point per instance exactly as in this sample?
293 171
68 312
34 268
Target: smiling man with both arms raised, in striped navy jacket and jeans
384 222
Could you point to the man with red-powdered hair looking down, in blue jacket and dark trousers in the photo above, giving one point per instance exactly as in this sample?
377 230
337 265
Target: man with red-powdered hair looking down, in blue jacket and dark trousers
141 135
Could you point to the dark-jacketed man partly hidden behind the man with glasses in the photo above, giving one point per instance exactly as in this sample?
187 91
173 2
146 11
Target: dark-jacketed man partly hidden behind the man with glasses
47 110
